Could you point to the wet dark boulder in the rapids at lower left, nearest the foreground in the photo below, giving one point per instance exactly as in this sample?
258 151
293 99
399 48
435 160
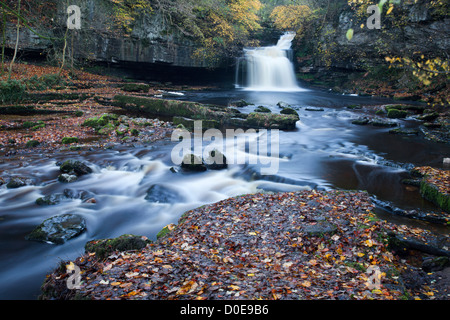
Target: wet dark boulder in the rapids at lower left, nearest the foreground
58 229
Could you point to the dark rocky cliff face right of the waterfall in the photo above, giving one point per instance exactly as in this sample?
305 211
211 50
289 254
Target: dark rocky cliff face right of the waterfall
414 27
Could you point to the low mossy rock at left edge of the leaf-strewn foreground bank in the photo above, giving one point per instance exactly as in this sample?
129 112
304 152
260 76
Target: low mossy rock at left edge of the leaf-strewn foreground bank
104 247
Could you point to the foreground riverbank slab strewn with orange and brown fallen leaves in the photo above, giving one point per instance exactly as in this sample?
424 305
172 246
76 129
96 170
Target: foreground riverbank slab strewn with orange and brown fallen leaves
303 245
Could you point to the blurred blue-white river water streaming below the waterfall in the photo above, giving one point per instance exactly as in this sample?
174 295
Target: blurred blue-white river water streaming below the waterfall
325 151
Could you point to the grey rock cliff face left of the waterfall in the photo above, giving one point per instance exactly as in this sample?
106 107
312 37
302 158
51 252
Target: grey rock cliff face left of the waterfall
151 41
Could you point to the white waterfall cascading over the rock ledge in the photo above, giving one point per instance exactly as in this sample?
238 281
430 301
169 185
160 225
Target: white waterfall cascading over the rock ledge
269 68
